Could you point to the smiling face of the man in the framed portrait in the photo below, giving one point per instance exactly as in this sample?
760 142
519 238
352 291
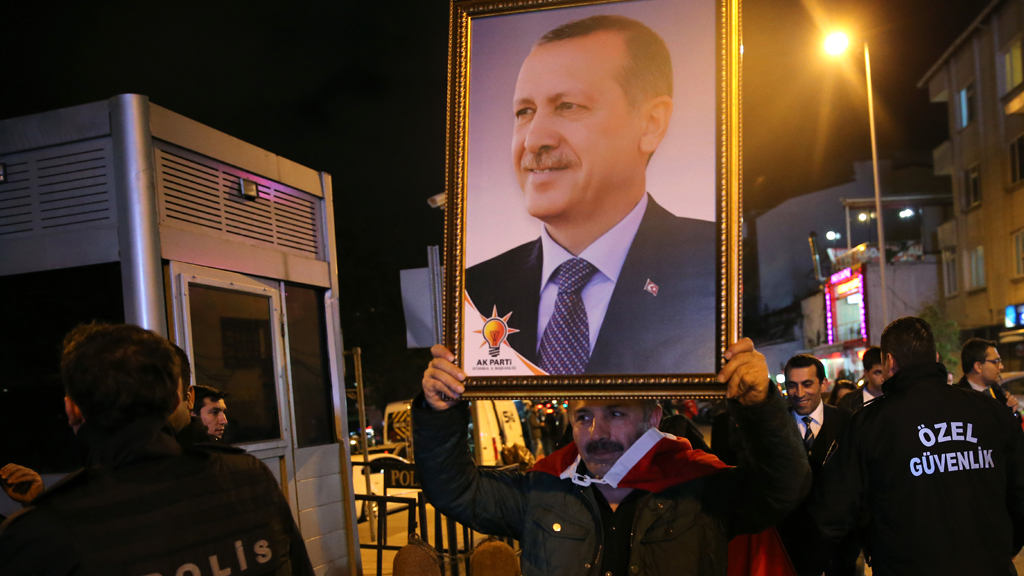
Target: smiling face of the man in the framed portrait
580 148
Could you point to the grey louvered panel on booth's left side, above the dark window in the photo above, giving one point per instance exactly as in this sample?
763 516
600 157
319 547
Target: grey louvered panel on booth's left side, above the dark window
58 188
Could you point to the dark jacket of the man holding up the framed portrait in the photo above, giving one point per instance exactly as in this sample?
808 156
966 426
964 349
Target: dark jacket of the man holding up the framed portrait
685 530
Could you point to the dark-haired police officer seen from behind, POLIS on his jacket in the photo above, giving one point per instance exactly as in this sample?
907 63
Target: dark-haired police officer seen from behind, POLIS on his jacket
144 507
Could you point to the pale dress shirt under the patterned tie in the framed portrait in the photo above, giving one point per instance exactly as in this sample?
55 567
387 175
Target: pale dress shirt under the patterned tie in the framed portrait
608 254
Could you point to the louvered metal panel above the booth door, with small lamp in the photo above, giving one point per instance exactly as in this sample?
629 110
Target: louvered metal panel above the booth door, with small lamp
198 192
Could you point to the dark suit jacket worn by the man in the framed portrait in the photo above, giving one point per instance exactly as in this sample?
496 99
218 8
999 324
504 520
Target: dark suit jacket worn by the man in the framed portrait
670 334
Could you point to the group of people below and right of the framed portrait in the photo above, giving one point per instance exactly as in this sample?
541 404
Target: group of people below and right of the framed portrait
918 476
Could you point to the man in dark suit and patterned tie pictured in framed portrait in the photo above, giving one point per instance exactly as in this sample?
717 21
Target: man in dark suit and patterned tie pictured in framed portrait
615 283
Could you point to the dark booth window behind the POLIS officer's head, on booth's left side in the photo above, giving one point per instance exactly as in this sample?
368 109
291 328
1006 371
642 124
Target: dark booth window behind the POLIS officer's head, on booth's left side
38 311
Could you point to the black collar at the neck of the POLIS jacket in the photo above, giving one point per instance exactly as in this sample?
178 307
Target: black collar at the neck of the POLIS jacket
144 440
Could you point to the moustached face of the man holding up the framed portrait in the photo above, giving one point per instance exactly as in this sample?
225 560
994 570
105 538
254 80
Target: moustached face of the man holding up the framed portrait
605 430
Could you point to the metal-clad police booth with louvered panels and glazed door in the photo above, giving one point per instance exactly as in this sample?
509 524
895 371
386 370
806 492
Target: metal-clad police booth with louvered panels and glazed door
125 212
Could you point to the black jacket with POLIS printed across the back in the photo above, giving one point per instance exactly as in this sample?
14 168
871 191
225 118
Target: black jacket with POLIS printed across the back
143 507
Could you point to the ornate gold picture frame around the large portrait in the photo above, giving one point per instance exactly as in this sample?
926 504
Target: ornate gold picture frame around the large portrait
728 315
